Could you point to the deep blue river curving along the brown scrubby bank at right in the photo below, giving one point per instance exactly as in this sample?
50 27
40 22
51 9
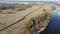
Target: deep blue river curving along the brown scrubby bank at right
54 24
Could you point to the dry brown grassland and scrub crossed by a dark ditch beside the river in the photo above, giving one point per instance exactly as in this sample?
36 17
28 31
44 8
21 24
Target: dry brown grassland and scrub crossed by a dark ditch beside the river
25 18
